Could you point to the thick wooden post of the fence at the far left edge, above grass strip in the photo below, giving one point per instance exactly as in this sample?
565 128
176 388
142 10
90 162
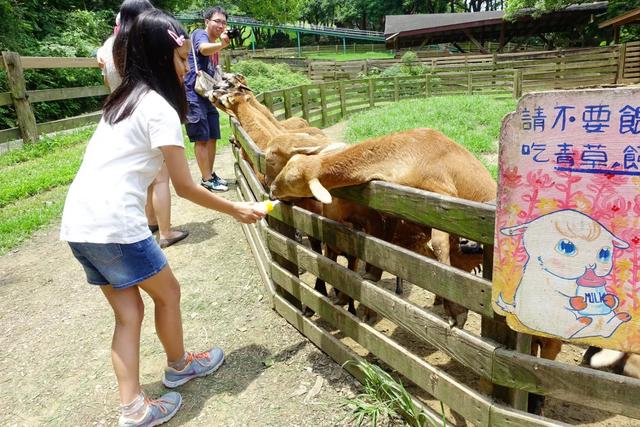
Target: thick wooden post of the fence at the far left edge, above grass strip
18 90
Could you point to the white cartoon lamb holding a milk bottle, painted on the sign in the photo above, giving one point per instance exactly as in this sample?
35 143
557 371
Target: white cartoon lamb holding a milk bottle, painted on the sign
562 289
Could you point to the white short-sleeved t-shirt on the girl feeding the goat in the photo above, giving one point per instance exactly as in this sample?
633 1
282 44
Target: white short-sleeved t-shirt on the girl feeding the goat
106 200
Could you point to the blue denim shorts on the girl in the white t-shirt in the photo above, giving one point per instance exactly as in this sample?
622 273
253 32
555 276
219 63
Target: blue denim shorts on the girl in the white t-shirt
120 265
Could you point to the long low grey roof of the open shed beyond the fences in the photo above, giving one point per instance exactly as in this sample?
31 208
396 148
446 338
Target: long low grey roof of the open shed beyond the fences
412 30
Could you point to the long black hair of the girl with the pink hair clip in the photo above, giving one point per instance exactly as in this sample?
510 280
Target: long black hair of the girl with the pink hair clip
148 66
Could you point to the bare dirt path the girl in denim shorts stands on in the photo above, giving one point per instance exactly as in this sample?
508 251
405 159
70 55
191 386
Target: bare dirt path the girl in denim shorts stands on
55 366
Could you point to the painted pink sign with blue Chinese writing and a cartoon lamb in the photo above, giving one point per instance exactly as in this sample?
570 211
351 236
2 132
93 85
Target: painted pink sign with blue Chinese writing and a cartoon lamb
567 245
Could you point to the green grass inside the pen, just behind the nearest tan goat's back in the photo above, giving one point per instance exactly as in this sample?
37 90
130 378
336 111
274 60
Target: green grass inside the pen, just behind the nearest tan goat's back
472 121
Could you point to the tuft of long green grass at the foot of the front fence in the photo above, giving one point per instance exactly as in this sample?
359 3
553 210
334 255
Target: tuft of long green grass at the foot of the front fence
383 398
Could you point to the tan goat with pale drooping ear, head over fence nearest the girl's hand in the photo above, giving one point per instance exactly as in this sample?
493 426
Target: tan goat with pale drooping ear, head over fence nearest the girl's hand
419 158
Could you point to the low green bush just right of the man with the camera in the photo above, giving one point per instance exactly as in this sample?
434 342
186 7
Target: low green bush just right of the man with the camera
263 77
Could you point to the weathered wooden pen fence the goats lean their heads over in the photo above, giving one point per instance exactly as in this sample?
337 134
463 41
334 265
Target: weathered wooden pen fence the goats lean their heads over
505 375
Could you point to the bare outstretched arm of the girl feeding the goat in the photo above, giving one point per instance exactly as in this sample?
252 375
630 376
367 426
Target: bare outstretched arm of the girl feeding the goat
245 212
